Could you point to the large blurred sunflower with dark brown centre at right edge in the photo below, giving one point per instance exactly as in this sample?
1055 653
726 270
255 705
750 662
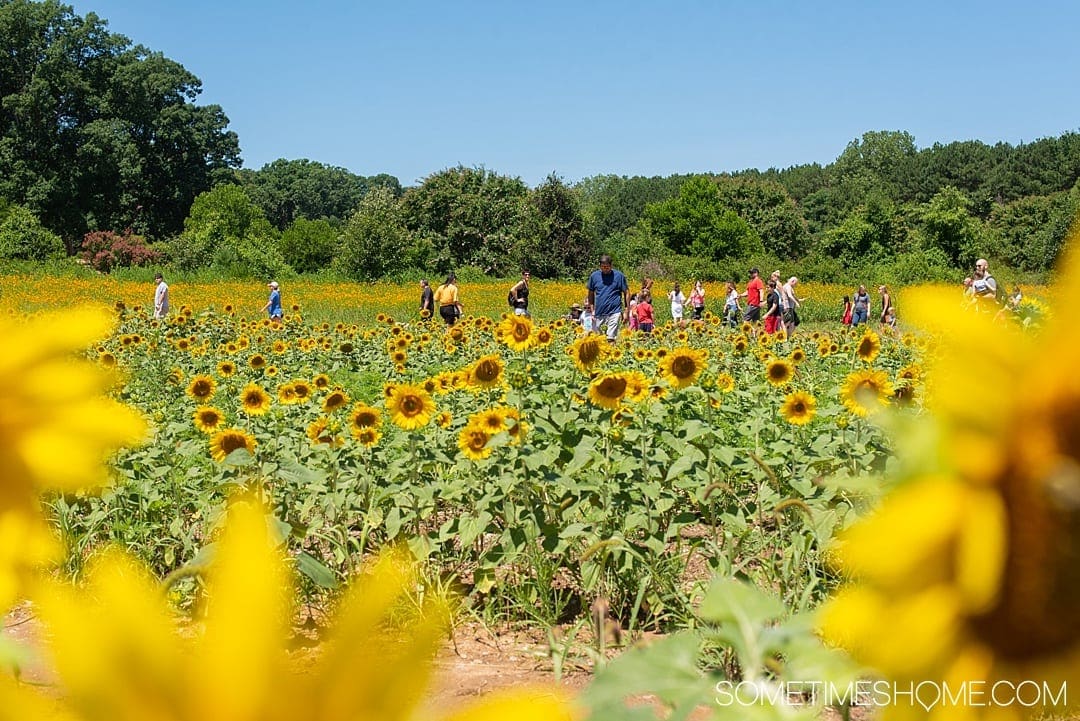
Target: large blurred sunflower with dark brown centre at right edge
970 570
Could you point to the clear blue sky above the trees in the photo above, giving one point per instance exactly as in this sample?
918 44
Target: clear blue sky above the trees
580 89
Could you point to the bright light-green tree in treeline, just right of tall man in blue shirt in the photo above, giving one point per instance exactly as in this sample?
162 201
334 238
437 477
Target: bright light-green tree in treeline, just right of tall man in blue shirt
699 224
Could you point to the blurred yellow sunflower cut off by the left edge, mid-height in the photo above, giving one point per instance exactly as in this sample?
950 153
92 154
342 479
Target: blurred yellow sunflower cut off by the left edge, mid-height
57 428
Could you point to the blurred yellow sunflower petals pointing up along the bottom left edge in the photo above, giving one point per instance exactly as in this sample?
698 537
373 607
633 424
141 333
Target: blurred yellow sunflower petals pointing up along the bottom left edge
118 656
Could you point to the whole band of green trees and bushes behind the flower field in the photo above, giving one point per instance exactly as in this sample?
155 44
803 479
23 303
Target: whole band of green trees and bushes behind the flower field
106 156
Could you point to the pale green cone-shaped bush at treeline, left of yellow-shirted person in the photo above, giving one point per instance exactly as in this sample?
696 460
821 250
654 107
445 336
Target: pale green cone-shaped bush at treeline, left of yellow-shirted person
375 242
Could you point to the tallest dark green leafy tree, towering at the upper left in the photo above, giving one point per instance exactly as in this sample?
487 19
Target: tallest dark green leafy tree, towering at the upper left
97 133
